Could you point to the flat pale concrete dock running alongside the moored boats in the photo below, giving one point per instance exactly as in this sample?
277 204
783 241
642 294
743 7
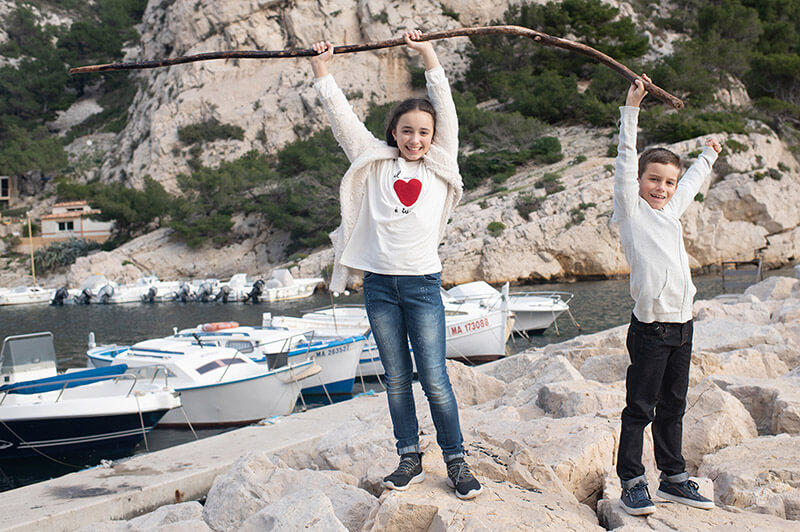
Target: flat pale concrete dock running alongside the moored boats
140 484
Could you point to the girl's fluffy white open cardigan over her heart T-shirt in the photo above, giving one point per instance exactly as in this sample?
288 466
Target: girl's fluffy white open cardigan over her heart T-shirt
363 149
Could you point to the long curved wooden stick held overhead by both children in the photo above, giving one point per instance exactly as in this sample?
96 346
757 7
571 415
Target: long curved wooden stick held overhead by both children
541 38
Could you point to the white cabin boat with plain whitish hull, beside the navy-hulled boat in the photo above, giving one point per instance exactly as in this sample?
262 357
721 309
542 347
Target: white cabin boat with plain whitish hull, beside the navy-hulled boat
219 386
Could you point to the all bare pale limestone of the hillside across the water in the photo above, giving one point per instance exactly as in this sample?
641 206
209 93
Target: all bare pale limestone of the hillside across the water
749 208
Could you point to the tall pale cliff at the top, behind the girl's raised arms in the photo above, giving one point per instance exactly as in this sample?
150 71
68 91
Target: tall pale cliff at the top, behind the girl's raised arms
271 100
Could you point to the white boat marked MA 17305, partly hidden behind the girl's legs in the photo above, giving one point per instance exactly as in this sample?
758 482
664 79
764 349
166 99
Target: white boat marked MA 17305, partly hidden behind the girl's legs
473 334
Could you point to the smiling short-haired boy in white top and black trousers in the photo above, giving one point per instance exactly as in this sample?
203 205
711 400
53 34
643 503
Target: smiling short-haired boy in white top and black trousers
647 208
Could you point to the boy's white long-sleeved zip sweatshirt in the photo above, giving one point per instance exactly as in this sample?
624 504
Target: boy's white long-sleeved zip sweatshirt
652 239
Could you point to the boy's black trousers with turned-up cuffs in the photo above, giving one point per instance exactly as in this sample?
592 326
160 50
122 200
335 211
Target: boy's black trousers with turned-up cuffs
656 386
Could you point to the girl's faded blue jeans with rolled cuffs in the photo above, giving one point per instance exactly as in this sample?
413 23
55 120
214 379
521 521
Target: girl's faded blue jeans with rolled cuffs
409 307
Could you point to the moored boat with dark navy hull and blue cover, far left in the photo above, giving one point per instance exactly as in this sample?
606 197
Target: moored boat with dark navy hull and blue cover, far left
76 412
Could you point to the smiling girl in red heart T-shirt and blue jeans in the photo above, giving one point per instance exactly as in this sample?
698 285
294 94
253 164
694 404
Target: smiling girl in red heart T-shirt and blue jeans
396 198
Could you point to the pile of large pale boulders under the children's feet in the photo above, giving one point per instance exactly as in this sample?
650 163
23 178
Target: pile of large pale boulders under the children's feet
541 429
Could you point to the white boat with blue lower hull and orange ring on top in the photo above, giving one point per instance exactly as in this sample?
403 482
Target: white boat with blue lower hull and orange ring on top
336 356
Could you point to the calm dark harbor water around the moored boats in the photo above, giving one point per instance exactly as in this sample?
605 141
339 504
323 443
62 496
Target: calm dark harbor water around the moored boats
597 305
